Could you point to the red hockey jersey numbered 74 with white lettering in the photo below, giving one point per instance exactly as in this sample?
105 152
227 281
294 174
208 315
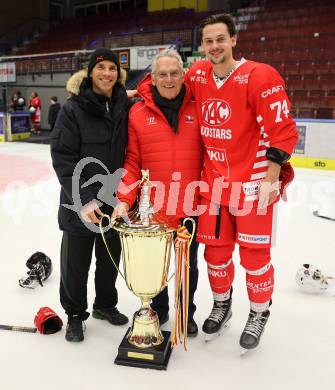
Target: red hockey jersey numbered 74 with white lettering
239 121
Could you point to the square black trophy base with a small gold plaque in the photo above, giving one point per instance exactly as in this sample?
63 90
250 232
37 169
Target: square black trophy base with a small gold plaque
153 357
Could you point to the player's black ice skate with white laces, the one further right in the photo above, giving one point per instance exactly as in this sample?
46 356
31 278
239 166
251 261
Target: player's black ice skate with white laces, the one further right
253 330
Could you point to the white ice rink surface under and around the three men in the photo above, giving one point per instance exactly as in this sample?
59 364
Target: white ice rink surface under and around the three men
298 347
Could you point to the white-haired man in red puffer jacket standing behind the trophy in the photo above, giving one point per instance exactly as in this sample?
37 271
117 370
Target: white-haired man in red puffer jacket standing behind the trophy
164 138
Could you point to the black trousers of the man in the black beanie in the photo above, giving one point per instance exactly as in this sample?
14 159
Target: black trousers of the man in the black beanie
76 256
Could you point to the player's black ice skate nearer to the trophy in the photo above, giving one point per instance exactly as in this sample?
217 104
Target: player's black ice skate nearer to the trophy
218 320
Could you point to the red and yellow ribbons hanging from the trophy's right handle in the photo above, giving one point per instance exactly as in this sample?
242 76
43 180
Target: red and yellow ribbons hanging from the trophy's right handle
182 267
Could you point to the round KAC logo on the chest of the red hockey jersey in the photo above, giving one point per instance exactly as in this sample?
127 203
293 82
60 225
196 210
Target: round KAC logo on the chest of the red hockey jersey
215 112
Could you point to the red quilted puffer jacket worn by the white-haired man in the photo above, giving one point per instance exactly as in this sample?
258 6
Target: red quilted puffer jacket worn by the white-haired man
174 160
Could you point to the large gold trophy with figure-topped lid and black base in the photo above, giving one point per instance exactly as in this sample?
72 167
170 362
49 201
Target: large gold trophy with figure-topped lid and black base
146 250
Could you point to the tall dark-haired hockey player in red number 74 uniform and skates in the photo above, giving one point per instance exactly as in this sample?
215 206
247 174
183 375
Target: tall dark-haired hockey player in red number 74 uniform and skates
249 135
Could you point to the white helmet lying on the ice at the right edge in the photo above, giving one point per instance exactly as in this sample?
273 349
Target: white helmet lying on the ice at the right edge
310 279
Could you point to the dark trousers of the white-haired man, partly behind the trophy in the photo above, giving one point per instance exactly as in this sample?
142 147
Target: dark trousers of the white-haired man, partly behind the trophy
161 302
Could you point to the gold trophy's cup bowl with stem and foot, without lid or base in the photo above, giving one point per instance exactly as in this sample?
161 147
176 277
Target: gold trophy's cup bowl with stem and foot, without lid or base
146 260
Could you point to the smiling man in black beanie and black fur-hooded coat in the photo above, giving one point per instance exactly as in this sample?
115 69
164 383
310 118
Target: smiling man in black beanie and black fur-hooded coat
88 145
